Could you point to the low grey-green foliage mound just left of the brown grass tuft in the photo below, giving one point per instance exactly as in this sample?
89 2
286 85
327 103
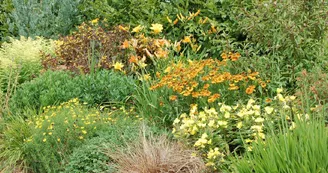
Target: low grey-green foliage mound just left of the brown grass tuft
90 157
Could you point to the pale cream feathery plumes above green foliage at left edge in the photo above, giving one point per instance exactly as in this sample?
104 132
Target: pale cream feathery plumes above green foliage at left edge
22 57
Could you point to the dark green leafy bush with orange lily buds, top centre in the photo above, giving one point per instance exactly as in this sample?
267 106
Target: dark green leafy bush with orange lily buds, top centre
196 33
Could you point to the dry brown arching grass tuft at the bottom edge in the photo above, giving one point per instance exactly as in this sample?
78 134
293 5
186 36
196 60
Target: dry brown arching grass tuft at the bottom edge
156 155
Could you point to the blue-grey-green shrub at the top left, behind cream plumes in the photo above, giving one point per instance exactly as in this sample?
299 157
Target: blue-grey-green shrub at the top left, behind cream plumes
46 18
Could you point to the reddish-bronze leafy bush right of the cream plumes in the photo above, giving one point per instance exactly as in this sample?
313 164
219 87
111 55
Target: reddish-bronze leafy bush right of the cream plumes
90 48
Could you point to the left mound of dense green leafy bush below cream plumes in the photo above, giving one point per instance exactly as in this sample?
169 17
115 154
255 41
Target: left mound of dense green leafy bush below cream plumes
50 88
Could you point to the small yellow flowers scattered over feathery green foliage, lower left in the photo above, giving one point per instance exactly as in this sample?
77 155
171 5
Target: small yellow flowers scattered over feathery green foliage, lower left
69 119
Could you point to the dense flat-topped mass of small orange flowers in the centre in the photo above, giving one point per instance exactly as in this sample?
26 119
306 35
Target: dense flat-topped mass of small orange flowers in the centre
203 78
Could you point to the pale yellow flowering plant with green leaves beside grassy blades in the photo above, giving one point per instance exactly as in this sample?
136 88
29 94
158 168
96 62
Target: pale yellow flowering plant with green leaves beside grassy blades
216 133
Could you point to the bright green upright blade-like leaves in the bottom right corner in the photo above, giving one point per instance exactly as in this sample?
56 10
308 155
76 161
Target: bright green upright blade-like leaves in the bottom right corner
304 149
